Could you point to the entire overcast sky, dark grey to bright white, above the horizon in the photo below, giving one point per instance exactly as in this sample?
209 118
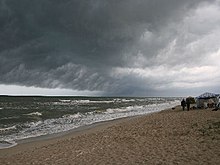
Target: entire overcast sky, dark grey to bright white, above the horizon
110 47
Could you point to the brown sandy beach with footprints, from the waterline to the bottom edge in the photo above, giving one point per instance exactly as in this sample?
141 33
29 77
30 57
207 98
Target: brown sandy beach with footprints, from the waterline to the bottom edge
167 137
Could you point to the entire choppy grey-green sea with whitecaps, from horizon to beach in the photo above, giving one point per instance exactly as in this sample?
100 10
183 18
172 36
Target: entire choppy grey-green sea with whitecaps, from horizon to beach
23 117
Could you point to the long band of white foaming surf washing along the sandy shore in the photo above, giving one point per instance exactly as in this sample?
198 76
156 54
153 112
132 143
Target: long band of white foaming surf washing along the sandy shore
68 122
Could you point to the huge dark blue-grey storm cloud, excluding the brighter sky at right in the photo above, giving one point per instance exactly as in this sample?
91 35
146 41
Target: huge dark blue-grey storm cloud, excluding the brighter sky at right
81 44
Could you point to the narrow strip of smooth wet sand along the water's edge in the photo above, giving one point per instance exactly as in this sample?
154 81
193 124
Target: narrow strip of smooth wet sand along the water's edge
32 142
